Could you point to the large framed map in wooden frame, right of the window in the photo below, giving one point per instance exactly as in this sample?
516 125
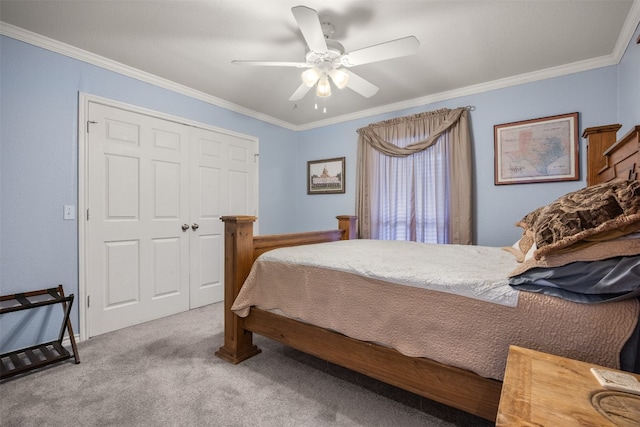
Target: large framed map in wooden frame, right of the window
537 150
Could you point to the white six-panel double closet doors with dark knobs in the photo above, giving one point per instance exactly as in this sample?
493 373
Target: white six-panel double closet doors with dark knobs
156 191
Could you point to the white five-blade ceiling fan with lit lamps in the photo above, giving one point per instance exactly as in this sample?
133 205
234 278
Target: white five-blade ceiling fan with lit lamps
326 59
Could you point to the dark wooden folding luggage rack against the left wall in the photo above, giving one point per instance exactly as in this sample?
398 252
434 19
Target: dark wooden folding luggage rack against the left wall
28 358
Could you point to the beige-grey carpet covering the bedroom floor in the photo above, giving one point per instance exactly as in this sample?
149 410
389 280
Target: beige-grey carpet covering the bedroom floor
164 373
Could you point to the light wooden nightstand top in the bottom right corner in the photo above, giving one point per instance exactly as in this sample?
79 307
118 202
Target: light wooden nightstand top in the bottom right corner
540 389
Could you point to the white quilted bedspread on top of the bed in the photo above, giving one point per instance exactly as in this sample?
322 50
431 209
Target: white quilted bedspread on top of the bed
477 272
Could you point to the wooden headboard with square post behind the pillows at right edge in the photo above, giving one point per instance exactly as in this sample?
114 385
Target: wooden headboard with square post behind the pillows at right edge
609 159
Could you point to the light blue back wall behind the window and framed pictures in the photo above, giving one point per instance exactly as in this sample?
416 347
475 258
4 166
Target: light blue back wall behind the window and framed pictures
497 208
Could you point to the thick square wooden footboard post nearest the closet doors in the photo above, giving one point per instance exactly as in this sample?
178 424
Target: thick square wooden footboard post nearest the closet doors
238 258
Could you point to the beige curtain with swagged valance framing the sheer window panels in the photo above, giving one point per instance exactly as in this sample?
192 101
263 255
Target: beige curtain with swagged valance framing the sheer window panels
422 130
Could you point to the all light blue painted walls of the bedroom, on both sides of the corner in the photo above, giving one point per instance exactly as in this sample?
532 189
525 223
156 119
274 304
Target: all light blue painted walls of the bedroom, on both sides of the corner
39 153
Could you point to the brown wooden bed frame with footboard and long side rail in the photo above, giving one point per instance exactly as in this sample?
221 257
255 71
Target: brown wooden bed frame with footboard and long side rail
452 386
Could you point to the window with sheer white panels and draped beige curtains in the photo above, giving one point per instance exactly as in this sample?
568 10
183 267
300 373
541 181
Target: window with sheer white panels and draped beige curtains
414 178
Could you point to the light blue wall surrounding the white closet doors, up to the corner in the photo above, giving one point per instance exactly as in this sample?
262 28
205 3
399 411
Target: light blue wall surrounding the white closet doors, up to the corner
39 158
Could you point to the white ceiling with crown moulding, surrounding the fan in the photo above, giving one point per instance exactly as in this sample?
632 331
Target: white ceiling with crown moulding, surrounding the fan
465 46
